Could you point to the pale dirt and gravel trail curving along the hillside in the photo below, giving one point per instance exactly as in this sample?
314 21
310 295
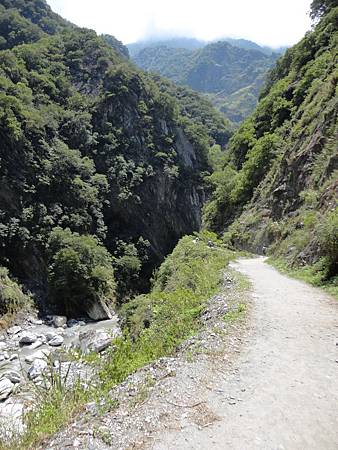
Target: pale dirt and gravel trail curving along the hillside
285 392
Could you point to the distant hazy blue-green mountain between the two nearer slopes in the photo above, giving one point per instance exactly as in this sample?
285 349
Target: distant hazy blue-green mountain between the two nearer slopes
230 75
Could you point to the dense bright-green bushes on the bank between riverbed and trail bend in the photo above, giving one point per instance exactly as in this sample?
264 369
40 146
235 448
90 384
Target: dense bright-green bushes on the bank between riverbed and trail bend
159 321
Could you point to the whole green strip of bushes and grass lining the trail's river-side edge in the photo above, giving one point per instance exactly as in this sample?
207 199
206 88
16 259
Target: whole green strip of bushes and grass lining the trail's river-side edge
155 324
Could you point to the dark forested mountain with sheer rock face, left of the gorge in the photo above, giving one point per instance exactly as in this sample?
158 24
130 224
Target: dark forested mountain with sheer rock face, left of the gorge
101 166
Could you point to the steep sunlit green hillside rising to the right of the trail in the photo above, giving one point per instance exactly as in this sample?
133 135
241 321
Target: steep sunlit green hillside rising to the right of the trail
277 188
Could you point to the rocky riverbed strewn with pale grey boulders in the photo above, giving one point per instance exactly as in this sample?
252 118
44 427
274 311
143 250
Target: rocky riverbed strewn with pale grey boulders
33 347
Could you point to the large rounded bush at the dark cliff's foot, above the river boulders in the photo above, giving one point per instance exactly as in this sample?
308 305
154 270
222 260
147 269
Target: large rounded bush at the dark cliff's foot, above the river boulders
80 272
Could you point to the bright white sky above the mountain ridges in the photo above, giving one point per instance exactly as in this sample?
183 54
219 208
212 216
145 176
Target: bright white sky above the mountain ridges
269 22
